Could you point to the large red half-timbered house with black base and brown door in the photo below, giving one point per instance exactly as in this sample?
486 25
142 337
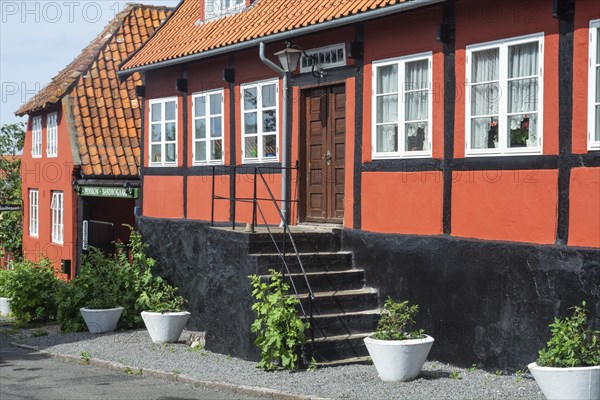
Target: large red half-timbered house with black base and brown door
451 147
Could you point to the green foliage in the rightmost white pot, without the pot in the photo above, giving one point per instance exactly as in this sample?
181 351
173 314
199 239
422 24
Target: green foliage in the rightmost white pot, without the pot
572 343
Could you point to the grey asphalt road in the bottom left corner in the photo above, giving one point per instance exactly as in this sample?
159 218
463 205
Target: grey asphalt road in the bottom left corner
26 375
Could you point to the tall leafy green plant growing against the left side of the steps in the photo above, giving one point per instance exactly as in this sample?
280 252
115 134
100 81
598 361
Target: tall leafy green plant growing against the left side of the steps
279 330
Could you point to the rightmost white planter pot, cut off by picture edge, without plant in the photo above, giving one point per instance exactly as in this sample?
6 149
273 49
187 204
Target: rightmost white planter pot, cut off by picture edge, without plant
575 383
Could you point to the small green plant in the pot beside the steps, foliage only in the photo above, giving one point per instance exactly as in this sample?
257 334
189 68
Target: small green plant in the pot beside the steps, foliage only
394 321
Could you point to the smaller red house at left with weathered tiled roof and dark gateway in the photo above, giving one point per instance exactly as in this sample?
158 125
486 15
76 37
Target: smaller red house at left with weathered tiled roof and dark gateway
80 165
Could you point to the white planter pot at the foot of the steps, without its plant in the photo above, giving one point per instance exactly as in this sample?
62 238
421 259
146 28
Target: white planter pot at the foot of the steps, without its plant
399 360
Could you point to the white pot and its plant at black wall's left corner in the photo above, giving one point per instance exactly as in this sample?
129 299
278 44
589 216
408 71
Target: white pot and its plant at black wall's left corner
164 318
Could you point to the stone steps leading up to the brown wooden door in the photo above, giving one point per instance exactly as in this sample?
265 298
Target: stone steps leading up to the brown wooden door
344 310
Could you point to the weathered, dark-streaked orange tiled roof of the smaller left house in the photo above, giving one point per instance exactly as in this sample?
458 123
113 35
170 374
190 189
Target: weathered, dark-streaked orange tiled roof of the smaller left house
106 112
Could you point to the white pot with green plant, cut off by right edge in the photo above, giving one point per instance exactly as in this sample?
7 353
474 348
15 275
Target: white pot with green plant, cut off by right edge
569 368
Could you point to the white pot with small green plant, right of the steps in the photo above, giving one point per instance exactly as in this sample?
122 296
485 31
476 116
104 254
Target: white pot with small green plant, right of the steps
397 352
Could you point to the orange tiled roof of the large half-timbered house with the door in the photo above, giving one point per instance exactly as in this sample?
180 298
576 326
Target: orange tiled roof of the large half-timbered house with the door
185 34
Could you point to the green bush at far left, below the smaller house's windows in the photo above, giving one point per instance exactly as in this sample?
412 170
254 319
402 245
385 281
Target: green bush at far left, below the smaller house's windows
33 291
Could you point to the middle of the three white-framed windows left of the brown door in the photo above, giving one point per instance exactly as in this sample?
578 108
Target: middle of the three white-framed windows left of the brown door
207 117
